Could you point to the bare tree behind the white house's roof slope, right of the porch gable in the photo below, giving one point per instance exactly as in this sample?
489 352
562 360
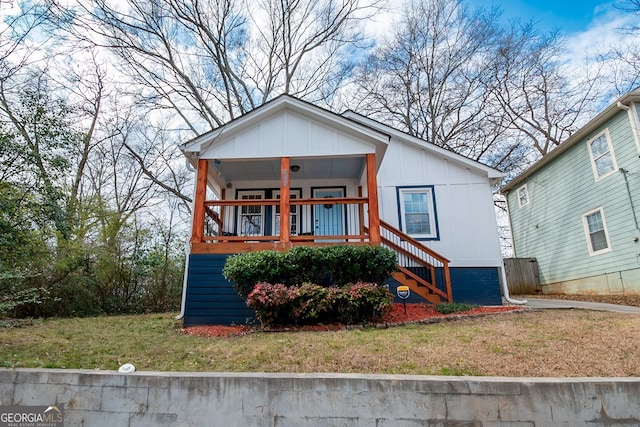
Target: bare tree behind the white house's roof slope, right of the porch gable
429 79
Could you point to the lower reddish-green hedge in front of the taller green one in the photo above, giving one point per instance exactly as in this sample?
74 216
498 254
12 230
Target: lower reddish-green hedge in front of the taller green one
310 304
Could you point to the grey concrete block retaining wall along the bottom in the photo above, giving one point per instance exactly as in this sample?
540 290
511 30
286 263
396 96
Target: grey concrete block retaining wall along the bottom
99 398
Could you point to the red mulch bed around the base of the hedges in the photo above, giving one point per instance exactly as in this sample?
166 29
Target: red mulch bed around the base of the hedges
414 313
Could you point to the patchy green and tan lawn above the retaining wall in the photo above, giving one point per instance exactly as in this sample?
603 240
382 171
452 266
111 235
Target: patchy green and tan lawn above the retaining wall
565 343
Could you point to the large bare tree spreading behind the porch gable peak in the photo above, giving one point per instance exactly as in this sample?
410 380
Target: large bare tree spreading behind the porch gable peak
208 62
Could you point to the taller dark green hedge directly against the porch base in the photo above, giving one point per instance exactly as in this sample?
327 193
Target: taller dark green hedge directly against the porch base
327 265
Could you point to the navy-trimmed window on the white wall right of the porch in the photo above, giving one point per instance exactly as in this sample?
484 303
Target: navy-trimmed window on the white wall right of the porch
417 212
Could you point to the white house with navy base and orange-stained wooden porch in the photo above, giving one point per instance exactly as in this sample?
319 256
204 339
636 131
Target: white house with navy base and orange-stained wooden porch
289 173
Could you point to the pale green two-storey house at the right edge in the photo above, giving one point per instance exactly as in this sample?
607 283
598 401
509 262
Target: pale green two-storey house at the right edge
577 210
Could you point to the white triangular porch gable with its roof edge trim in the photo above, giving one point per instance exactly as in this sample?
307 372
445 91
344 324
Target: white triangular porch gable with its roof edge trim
287 127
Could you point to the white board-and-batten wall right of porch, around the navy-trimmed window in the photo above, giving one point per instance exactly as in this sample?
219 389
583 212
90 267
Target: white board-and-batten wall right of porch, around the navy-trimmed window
463 201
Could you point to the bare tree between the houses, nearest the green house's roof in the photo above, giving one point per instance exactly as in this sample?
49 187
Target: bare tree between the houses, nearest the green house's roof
543 100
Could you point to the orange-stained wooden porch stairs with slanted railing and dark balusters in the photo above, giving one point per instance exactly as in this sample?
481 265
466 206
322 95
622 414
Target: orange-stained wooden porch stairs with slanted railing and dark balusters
414 257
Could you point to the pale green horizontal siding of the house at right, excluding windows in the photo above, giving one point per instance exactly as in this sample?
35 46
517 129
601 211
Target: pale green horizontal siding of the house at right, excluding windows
550 227
